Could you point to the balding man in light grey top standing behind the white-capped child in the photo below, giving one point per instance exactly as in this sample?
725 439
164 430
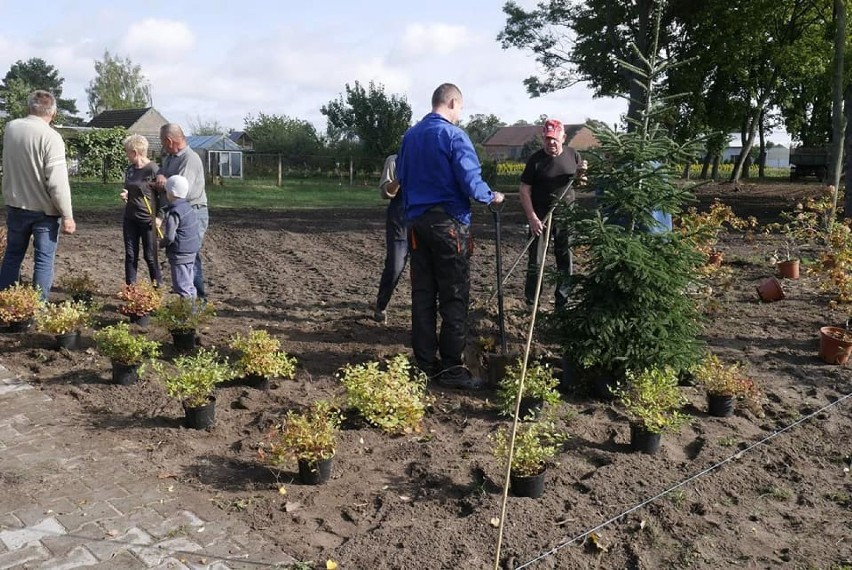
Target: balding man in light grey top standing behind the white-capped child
180 159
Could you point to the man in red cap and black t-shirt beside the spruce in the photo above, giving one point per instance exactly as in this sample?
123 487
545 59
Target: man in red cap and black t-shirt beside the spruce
545 175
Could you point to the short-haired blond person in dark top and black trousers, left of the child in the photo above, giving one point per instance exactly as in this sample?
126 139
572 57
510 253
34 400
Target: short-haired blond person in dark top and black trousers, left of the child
139 211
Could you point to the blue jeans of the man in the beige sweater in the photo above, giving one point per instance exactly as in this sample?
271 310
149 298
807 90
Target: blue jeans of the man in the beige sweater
22 225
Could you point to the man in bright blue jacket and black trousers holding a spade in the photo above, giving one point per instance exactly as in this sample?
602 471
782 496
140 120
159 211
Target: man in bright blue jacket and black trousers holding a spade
440 172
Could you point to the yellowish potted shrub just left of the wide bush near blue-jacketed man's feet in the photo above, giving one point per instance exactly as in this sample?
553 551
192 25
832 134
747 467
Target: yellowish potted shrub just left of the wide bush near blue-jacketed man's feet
261 358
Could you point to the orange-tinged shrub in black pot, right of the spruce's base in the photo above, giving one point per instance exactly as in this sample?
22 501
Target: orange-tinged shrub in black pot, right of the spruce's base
724 384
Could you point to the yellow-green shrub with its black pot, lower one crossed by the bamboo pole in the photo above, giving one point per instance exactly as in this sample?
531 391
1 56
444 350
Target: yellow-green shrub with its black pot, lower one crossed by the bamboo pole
536 445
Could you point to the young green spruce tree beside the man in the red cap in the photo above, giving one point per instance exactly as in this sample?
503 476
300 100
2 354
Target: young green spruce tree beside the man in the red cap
630 309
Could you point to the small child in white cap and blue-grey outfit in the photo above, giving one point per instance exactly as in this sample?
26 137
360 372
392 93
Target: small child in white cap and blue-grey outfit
181 238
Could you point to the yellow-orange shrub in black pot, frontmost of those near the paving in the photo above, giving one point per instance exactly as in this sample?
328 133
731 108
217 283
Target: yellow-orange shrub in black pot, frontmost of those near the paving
310 437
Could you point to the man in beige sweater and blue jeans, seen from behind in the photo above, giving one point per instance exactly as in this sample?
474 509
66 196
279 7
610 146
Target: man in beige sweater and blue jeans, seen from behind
36 192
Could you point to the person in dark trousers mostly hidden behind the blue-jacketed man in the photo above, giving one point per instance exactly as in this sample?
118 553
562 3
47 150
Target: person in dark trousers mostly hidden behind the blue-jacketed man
396 240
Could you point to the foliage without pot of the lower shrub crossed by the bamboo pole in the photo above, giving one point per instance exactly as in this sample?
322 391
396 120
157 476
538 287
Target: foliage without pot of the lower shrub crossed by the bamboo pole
536 445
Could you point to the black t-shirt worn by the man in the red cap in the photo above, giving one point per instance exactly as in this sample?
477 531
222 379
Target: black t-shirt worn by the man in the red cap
548 175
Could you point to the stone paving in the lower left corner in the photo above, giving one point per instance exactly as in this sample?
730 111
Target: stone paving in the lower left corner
91 512
